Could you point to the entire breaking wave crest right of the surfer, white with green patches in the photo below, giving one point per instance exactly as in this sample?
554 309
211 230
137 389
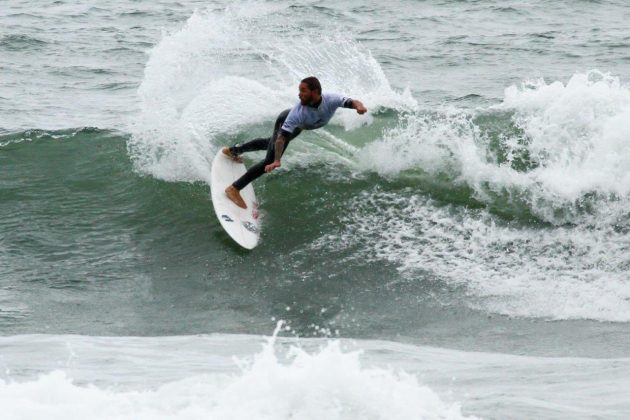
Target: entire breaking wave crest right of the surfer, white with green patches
559 149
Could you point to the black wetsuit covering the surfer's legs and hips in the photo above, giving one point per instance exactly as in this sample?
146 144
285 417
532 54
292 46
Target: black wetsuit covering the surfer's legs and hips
261 144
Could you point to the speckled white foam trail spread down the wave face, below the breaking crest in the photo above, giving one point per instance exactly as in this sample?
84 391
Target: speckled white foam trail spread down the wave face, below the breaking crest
555 273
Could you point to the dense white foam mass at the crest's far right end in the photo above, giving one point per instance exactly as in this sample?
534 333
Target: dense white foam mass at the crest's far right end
577 133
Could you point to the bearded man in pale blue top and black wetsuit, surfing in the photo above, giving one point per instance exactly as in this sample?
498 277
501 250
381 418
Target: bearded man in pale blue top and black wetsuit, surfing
313 111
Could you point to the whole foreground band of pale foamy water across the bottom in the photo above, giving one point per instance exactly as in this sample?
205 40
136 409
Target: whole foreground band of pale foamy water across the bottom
227 376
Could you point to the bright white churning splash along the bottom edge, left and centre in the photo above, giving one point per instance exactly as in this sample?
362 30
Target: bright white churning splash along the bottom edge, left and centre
328 383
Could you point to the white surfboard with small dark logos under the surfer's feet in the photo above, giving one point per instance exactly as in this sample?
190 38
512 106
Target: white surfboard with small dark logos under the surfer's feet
241 224
